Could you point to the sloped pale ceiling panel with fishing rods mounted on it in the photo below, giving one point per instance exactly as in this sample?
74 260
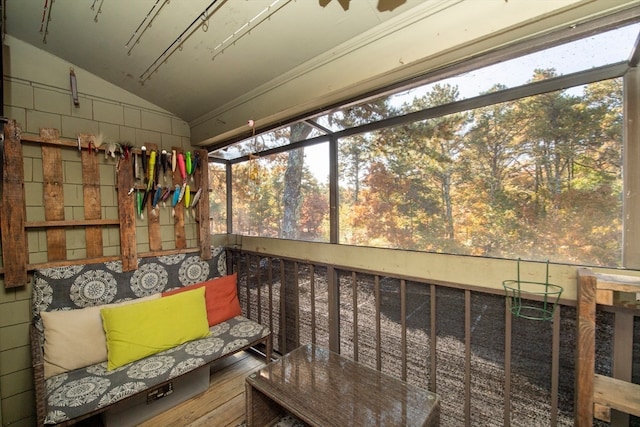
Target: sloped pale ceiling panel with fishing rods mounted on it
94 35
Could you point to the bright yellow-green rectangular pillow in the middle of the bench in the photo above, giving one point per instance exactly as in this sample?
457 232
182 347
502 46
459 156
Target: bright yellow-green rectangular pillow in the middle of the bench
140 330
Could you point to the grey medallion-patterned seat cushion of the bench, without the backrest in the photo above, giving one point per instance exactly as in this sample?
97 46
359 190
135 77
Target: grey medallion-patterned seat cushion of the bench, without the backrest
79 392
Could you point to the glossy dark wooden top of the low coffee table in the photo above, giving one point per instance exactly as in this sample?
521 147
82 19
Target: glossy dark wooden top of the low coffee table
323 388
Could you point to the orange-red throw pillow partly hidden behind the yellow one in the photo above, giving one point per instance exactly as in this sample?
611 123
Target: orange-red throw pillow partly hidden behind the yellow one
221 297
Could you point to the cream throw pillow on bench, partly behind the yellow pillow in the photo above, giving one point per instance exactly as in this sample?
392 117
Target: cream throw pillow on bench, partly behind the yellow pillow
74 339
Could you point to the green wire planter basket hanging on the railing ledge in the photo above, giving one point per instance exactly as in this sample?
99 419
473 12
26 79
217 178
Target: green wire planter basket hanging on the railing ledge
532 300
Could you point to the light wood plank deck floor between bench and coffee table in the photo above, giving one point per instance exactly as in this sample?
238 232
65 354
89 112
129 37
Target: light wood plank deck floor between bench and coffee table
223 405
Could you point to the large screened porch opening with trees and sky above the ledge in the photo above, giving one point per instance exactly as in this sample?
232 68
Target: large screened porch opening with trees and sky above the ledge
518 159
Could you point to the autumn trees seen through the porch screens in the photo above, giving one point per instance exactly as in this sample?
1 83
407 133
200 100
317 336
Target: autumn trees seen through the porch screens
538 178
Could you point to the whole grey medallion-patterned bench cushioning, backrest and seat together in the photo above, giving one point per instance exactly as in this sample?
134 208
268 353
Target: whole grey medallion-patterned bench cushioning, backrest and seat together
79 392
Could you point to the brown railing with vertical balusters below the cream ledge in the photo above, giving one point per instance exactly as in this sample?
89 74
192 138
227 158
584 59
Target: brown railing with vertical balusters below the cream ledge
488 367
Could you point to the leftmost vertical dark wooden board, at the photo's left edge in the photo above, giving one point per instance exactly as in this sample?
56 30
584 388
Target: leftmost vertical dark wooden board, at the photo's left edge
14 238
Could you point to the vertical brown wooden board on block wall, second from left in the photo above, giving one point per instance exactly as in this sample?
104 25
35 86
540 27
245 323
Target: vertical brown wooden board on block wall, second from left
53 188
